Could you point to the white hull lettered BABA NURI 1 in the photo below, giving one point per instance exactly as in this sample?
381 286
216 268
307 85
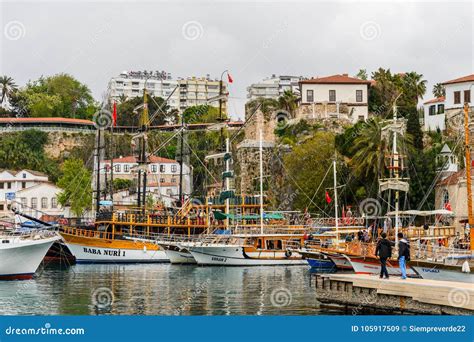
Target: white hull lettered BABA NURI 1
89 254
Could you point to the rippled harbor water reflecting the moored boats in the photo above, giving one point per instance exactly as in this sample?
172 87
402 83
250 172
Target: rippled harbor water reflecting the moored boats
162 289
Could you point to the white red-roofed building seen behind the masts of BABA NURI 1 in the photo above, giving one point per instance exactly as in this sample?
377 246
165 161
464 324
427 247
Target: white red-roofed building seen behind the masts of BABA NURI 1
162 176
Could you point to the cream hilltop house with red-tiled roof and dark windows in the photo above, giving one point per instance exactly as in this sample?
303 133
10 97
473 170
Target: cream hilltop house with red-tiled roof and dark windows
336 96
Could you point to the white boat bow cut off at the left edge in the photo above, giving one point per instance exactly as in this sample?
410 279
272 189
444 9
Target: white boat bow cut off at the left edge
19 259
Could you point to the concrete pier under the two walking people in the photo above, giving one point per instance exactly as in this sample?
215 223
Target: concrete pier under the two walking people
421 296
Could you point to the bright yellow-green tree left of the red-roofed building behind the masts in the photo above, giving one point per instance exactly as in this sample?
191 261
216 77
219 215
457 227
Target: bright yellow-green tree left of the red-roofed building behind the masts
76 186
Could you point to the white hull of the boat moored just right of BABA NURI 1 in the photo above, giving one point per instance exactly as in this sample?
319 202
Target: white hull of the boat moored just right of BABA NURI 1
236 256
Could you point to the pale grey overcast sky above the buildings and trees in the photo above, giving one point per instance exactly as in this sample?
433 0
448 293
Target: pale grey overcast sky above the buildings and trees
96 40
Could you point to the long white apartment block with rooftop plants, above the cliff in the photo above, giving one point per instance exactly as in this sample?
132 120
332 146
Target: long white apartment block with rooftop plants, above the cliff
182 92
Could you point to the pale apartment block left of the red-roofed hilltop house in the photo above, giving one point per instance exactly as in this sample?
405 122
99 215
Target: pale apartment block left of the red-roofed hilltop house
273 87
